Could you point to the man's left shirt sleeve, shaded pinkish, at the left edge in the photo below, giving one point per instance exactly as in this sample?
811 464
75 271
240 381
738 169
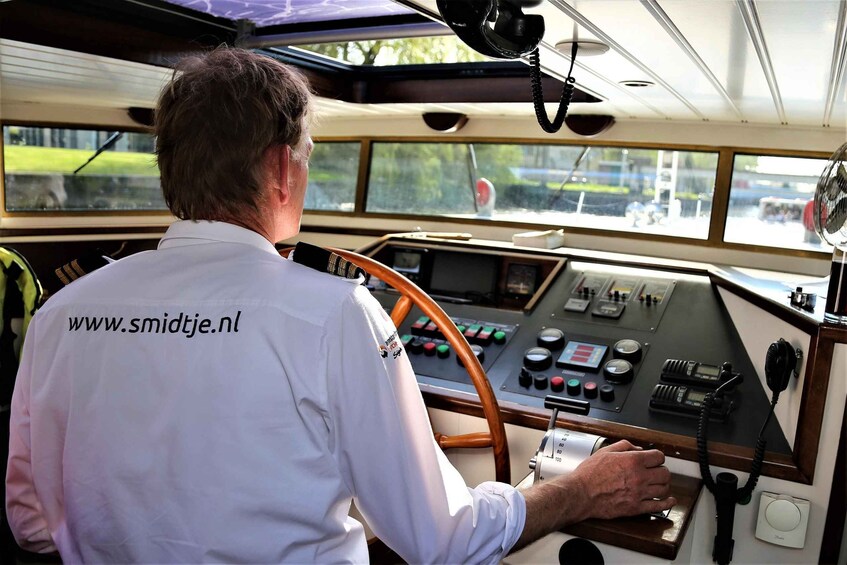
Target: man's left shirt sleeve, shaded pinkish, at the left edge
23 509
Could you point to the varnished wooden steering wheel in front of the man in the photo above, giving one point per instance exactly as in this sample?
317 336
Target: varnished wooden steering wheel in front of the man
411 294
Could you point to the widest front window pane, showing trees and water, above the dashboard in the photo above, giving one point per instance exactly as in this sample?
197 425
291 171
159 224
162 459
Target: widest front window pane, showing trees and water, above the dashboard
652 191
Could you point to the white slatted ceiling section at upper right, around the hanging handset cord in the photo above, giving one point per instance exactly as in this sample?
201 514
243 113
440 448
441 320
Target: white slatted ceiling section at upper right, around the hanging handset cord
701 56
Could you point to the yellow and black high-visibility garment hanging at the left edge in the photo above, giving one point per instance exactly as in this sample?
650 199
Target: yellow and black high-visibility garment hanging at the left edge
21 295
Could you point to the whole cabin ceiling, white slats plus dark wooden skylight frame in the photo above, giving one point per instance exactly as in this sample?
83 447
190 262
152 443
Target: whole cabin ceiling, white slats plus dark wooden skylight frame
720 61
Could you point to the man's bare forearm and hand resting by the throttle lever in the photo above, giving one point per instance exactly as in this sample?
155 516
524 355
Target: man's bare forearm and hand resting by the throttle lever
618 480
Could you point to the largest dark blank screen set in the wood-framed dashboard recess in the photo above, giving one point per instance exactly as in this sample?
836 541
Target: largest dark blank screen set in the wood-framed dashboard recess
464 274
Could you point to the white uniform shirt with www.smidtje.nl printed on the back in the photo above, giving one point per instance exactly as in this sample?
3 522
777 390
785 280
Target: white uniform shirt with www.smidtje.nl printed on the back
212 401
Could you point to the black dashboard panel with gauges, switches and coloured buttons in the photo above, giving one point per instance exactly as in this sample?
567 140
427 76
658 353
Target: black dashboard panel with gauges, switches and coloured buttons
592 331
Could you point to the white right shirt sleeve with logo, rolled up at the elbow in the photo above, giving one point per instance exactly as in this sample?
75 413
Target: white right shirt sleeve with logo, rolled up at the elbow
410 494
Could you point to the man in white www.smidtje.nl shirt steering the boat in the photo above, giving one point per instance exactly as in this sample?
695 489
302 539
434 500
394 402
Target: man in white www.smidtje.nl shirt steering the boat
211 401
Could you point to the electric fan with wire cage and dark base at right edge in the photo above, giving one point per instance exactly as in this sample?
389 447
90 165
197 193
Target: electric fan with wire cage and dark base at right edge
831 225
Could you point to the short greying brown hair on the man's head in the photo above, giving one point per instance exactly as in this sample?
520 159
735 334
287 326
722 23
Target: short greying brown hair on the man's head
213 123
